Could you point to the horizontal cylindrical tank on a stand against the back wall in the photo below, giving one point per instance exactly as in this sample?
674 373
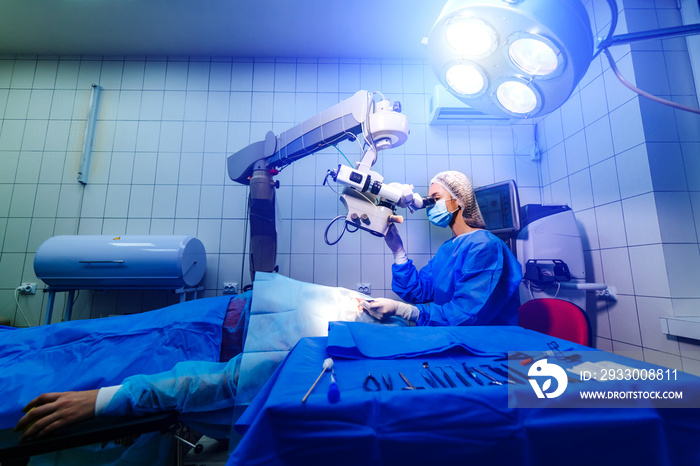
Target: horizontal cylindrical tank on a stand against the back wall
121 262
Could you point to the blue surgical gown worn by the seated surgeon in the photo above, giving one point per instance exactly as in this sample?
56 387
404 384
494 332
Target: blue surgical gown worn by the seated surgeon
472 280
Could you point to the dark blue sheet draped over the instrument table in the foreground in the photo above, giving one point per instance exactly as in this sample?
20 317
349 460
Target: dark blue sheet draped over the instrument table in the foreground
461 425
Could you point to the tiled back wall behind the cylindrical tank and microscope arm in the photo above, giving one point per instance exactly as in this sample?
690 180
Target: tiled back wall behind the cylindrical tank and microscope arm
165 127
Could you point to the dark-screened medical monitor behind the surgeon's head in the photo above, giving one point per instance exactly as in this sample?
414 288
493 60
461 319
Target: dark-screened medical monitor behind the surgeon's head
500 207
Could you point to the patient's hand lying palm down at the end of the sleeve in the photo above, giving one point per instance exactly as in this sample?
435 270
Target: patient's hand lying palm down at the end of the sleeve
50 411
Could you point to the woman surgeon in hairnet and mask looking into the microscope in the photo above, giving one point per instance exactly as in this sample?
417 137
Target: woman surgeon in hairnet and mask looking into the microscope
473 278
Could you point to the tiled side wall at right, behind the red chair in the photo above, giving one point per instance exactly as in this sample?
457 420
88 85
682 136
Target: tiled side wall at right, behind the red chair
630 169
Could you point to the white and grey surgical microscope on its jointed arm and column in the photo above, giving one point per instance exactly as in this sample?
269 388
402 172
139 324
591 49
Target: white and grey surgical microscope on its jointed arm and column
370 202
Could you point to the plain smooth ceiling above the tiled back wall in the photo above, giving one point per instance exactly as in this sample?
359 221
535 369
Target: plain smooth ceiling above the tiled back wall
383 29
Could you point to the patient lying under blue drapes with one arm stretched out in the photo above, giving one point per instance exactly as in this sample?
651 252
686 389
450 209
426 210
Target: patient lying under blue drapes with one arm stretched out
207 380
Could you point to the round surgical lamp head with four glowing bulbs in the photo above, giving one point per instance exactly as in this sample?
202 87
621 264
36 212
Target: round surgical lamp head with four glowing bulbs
513 58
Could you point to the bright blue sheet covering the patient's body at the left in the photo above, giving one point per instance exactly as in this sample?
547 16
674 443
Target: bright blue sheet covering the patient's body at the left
87 354
